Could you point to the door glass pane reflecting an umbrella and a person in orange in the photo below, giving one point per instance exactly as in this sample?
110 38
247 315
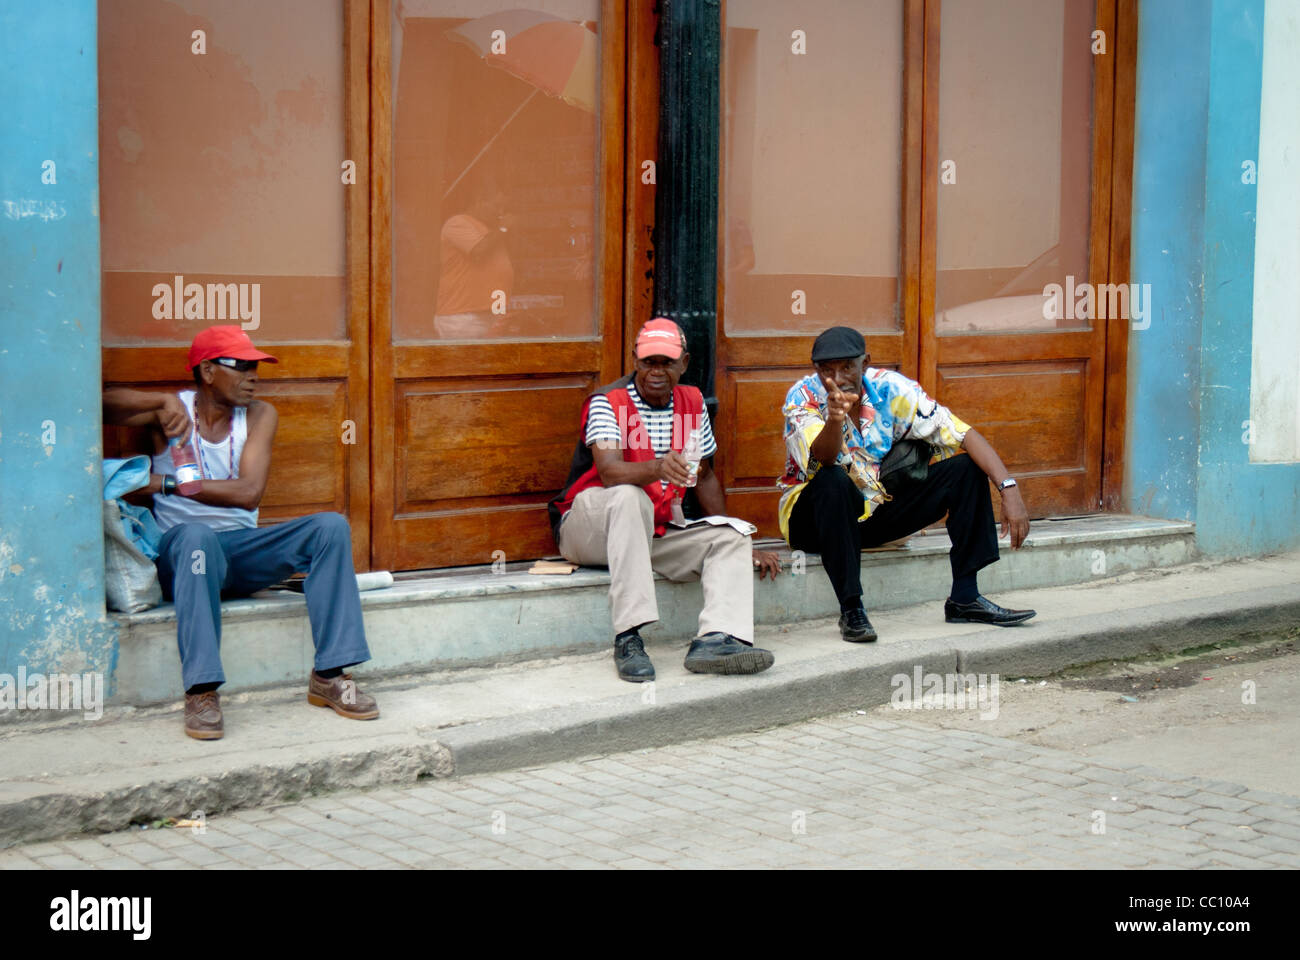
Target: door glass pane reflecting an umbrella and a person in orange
495 170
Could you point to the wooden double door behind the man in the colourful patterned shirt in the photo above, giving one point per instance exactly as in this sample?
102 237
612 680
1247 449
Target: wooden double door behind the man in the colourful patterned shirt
924 171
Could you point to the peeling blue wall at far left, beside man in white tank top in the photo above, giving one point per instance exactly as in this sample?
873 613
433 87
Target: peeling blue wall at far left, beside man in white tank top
51 521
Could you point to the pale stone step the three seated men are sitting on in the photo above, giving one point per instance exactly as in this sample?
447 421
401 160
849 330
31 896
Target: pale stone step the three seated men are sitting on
473 617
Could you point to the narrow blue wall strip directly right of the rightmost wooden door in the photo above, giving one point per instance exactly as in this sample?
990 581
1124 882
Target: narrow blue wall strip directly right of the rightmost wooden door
1168 244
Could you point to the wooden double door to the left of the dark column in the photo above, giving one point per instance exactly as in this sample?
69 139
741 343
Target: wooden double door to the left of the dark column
352 154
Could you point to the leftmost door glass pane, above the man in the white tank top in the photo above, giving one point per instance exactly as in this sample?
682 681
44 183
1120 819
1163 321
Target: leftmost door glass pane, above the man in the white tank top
220 172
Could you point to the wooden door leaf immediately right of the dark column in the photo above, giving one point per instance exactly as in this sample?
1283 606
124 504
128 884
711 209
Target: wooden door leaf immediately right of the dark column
820 211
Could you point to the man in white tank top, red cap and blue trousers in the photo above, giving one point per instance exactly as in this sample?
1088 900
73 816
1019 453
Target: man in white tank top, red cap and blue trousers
211 542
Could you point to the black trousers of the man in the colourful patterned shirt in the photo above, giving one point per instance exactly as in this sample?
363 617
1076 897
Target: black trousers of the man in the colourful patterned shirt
826 521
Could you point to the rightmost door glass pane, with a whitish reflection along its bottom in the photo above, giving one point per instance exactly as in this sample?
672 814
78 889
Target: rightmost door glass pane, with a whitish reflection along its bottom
1016 163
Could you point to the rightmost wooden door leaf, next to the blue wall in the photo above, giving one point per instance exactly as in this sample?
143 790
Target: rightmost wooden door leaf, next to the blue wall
1017 198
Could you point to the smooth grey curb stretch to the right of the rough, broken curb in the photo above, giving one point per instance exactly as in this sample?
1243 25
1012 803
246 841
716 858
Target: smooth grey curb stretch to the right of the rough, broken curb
856 680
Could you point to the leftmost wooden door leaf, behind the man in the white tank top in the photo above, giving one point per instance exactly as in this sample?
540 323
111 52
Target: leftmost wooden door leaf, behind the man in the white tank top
226 165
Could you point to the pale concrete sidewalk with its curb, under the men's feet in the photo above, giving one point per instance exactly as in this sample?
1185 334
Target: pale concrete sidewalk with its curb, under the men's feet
67 776
